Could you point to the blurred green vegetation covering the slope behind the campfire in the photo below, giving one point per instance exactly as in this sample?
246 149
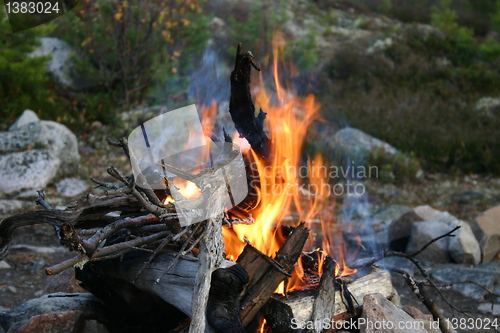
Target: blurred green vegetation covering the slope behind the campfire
419 92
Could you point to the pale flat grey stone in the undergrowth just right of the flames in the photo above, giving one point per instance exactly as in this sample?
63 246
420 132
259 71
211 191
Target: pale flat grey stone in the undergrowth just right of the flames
354 141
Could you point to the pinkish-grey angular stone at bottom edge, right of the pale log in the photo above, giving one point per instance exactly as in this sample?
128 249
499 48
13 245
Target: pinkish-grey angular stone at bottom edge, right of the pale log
377 309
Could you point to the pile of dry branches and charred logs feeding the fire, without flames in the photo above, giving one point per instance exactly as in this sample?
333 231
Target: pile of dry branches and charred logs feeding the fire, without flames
153 274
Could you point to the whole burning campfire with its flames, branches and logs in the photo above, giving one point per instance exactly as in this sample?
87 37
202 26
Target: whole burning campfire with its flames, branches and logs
271 261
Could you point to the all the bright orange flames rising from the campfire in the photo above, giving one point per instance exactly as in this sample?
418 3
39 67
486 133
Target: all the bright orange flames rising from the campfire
283 188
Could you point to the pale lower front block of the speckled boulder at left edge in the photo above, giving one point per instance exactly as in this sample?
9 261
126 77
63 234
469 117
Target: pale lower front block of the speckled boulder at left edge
27 170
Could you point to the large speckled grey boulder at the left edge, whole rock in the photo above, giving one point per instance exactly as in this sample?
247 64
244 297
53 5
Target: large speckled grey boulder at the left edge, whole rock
32 151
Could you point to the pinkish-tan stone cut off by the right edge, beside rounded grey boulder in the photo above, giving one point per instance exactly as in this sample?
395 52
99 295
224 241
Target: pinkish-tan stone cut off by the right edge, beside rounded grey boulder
489 233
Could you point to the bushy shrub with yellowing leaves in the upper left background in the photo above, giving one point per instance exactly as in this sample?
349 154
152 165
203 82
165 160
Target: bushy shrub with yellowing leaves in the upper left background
130 48
